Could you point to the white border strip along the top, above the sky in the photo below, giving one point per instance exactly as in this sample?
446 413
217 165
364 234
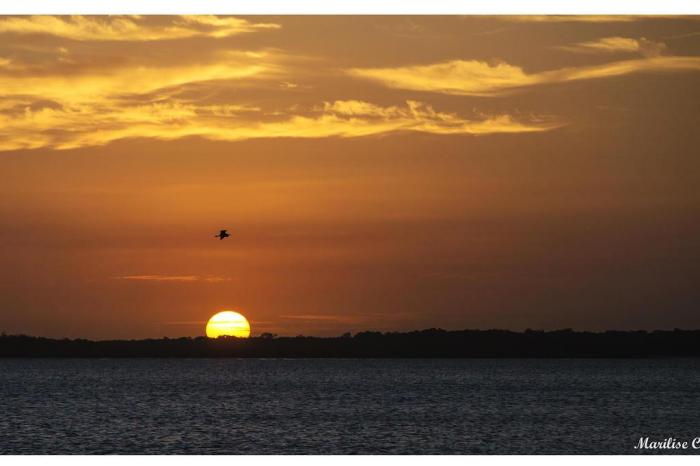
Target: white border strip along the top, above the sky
358 7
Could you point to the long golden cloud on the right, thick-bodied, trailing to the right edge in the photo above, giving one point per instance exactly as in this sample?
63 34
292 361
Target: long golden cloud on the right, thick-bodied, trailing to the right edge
472 77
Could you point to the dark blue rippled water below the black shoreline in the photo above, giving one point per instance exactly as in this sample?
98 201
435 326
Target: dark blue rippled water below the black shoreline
234 406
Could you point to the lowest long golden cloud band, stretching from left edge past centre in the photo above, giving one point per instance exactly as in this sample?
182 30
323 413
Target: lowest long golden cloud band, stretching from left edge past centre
89 125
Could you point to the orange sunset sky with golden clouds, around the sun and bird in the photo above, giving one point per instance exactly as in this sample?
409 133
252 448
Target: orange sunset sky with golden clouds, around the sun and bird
375 173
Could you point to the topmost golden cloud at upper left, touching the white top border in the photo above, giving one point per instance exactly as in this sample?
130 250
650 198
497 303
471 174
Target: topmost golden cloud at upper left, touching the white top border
130 28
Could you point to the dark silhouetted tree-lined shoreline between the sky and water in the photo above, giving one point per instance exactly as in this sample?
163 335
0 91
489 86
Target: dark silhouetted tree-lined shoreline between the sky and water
431 343
